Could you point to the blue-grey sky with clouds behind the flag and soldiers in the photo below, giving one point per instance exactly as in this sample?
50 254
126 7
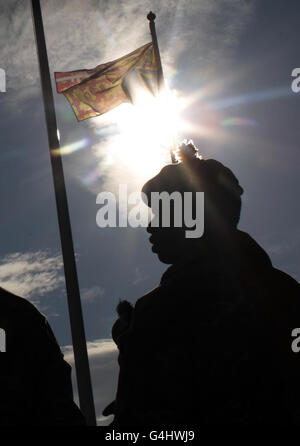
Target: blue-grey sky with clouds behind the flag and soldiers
229 60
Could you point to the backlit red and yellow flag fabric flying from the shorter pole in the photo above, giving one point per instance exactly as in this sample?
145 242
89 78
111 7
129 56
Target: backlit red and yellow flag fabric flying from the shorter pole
94 92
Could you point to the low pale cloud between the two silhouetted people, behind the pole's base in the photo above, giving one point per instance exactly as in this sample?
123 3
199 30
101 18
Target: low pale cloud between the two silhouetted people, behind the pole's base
104 371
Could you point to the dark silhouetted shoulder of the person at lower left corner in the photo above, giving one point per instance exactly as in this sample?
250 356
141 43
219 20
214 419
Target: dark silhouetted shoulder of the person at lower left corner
35 381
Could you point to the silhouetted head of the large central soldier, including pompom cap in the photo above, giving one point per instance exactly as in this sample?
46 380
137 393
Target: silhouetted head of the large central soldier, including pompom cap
222 204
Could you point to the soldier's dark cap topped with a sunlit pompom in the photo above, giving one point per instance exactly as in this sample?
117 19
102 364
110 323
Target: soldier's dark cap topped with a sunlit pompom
222 191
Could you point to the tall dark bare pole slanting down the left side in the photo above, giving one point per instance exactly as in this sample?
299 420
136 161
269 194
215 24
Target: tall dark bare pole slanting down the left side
75 310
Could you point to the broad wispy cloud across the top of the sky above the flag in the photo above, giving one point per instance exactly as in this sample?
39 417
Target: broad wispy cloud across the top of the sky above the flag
81 35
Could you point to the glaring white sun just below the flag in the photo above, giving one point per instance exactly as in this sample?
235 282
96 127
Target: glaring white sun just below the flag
147 131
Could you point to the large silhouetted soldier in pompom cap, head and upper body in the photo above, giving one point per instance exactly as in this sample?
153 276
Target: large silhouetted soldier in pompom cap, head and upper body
212 343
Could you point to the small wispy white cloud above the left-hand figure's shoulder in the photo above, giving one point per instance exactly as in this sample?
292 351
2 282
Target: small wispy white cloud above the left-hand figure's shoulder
32 274
